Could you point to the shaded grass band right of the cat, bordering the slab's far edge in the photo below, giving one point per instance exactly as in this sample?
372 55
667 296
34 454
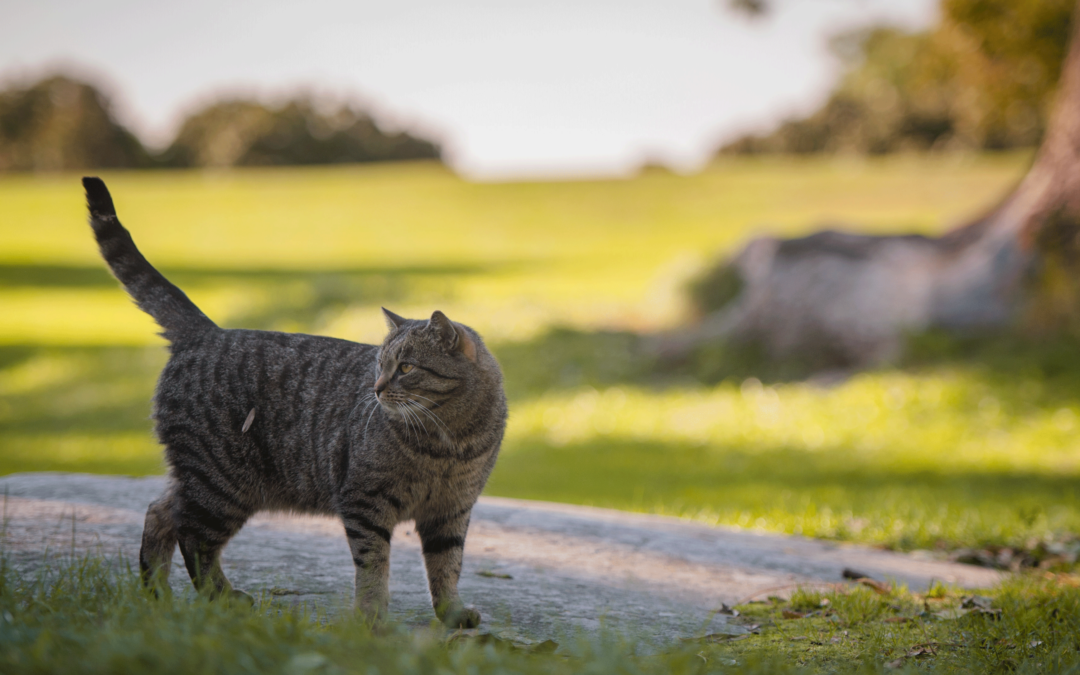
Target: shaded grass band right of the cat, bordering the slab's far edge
834 493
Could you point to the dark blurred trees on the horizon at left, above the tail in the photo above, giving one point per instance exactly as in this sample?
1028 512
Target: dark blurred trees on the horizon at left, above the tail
61 124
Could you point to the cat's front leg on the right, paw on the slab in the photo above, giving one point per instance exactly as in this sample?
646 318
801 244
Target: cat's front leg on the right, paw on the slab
443 541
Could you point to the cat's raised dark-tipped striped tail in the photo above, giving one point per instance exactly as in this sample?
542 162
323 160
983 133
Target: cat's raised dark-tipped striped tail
154 294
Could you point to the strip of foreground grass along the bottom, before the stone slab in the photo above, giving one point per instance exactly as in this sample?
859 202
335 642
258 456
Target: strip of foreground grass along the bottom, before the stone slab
82 616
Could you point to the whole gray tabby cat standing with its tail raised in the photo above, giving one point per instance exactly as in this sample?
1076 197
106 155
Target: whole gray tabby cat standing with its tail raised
255 421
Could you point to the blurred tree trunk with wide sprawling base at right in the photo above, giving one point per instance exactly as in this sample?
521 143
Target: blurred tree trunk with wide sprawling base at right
848 300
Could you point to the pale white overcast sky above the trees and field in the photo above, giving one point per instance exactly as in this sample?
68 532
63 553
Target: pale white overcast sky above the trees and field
512 89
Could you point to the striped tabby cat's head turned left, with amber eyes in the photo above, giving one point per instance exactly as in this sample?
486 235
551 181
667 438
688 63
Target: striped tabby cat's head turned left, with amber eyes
438 366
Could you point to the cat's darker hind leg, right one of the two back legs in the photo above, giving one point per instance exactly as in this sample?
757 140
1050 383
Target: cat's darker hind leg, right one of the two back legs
208 519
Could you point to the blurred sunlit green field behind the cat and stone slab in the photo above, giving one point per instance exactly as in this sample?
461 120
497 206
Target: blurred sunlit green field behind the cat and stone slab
967 447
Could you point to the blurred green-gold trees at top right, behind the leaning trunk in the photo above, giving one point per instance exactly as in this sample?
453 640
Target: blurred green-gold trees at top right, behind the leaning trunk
982 79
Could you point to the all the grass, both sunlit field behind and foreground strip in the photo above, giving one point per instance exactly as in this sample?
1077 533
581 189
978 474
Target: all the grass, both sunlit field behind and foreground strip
969 447
